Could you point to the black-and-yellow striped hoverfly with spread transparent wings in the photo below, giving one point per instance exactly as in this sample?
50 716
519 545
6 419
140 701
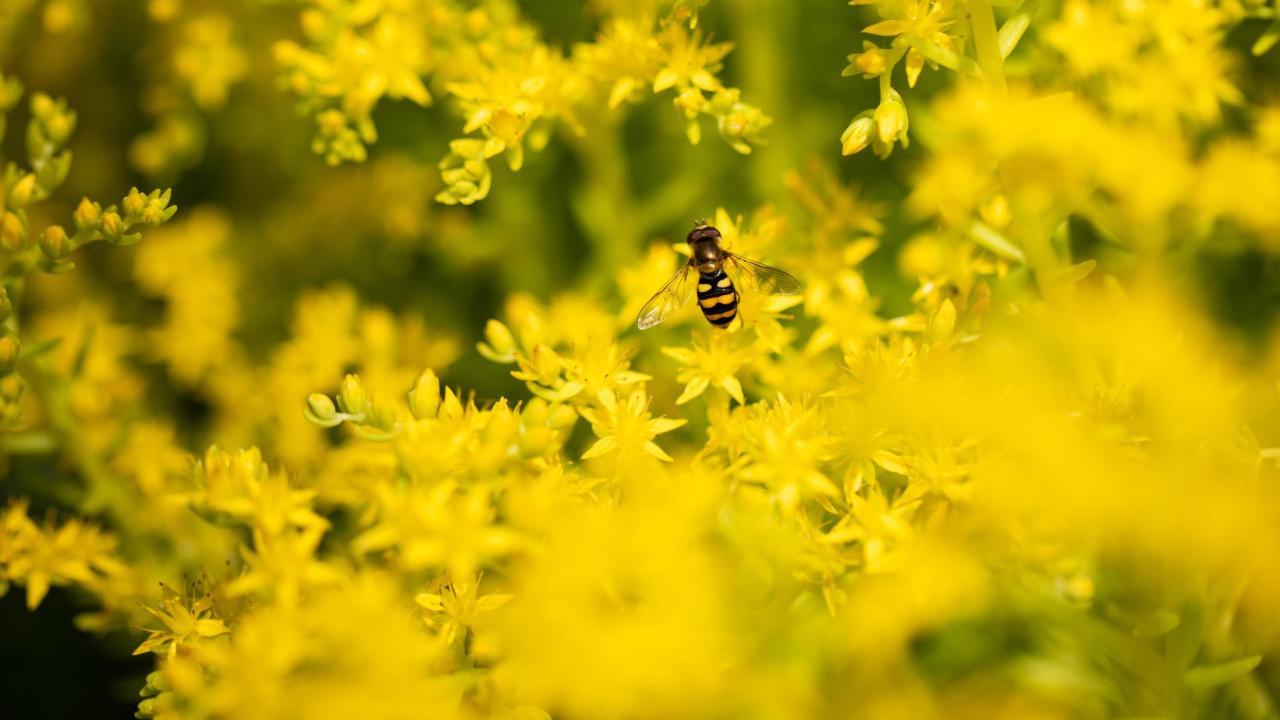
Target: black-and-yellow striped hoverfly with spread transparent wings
717 298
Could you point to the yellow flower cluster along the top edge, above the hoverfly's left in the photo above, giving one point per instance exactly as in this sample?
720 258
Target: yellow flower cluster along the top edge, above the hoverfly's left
509 84
